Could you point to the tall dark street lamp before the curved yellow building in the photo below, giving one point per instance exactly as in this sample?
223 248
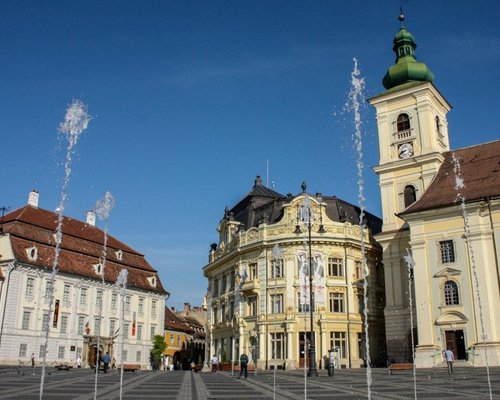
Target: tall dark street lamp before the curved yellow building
308 219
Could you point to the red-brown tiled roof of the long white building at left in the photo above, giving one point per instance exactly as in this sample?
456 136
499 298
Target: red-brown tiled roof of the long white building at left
81 248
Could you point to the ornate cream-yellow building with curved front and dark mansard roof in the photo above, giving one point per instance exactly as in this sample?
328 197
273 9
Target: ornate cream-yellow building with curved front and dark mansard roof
258 297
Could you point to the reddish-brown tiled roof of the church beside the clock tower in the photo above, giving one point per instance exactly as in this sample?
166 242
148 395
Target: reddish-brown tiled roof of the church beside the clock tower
480 171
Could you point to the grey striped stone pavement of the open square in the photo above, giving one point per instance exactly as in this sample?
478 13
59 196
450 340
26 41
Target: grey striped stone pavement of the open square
466 383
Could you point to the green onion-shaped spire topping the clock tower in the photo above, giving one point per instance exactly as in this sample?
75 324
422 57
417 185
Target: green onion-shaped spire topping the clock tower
407 69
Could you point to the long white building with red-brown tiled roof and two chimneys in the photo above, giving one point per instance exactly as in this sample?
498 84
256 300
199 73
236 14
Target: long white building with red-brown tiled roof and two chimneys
87 306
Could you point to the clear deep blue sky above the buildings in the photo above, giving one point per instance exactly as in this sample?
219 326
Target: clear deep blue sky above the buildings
191 98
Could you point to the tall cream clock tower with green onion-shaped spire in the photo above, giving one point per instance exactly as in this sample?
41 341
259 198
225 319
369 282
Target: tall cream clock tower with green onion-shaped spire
413 134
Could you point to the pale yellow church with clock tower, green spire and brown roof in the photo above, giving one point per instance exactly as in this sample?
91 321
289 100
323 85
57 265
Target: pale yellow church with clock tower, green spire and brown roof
455 250
